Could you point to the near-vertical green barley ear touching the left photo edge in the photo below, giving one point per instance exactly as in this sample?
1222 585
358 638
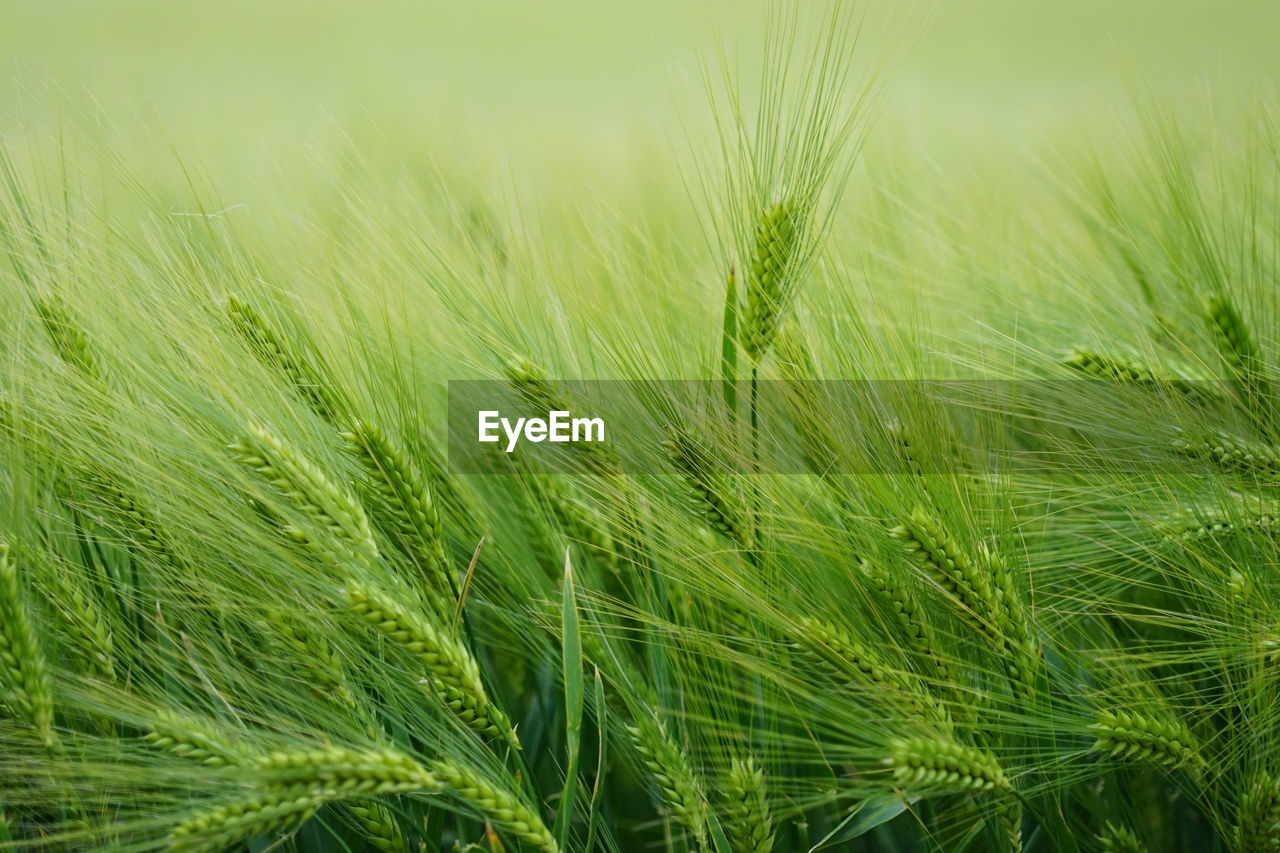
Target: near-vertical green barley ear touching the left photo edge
29 690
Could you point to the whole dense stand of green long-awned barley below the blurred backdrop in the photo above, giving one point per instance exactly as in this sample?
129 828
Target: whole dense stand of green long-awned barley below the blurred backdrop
248 604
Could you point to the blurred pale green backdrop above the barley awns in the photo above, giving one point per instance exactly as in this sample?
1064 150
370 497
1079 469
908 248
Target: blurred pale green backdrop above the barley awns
244 88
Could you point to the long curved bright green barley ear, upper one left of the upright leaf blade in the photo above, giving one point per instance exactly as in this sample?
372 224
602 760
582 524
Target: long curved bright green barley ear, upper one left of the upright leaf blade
451 669
